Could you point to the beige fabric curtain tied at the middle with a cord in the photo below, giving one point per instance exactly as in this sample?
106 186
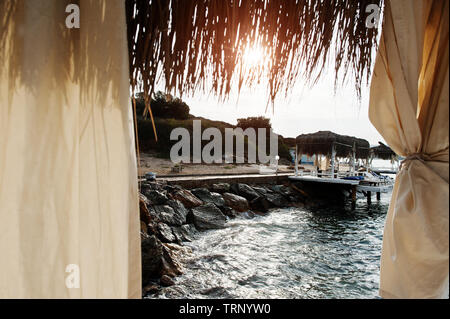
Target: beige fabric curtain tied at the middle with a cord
409 107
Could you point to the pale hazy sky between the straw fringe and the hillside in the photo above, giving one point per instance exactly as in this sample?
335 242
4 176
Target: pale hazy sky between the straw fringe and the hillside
307 110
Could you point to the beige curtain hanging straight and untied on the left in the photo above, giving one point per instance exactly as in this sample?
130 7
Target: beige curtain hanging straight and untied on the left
68 186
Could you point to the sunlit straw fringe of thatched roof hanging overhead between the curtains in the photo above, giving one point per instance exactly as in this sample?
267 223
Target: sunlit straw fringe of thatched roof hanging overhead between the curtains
199 44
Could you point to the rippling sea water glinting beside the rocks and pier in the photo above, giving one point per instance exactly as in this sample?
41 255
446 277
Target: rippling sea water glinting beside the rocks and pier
290 253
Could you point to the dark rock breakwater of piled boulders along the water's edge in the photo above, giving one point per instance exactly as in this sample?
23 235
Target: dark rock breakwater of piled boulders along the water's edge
171 215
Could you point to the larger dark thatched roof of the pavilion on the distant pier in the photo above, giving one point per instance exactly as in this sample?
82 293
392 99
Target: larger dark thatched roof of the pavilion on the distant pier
322 142
